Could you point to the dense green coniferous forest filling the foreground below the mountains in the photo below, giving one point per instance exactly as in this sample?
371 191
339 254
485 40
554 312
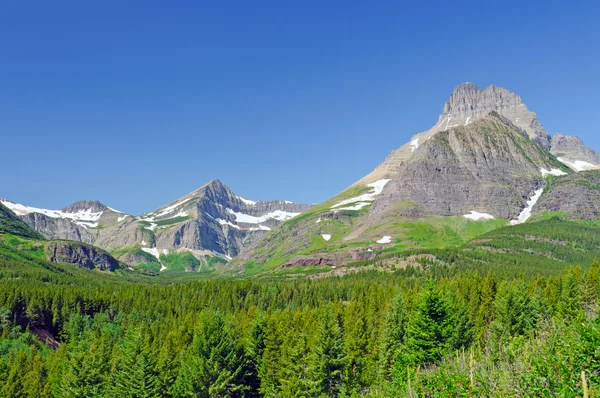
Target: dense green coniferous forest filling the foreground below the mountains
412 332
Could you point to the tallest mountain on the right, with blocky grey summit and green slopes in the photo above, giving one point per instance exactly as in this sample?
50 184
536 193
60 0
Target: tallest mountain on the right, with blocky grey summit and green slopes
488 161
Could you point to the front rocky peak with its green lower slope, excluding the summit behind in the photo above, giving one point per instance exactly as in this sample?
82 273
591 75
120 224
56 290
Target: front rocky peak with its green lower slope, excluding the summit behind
488 166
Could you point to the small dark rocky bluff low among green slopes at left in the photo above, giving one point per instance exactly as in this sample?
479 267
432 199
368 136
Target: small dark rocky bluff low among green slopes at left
81 255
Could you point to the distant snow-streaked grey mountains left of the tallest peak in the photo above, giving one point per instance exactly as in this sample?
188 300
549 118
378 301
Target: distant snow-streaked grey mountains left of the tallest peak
211 220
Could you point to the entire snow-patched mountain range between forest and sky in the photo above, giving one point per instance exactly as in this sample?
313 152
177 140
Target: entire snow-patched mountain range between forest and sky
487 163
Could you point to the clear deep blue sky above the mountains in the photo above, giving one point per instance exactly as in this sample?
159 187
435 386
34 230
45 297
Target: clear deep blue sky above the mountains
136 103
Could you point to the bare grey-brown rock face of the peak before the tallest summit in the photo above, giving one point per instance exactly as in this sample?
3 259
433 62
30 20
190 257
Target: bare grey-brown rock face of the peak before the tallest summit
486 166
